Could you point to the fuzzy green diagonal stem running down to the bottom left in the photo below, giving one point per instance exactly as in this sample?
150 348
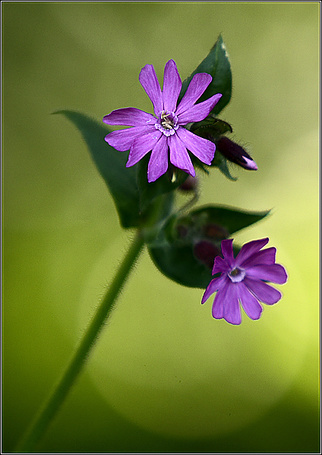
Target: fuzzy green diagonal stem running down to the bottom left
56 399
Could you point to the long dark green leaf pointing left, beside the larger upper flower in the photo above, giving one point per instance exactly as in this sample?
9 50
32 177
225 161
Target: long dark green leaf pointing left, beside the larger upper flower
120 180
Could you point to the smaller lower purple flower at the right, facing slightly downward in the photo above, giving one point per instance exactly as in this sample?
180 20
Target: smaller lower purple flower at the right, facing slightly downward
243 279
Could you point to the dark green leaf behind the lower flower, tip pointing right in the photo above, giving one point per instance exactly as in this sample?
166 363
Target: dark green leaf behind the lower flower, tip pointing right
186 246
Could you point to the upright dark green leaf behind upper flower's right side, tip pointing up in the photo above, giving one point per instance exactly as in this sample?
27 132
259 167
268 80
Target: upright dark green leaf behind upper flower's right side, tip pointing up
217 64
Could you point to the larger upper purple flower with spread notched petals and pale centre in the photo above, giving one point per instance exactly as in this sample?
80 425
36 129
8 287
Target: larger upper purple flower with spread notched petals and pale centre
165 131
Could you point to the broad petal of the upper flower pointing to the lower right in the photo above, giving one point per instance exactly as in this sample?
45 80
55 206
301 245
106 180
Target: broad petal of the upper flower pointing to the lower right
204 150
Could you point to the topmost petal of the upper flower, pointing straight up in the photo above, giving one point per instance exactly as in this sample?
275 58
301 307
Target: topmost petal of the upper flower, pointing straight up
171 86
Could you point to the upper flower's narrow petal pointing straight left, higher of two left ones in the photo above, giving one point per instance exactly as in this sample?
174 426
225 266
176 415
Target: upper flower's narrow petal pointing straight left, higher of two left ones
129 116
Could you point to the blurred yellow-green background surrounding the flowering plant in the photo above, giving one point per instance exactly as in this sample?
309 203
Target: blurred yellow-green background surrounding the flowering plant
164 376
